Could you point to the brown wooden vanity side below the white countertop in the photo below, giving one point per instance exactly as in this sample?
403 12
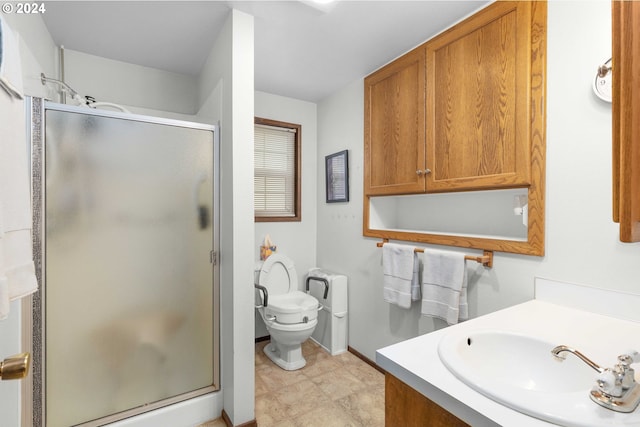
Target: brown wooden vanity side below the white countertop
405 407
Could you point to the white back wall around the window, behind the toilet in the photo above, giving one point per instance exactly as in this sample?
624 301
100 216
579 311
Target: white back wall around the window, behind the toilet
297 240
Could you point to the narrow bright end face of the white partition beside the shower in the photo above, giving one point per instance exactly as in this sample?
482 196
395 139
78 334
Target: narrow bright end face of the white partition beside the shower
239 408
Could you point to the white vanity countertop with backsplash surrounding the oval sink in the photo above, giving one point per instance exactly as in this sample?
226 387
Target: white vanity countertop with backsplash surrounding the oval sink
416 361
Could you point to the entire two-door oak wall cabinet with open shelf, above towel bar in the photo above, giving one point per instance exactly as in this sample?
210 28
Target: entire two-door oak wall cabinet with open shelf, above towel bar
464 111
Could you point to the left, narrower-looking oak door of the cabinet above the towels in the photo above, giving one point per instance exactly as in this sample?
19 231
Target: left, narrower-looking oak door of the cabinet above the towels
394 127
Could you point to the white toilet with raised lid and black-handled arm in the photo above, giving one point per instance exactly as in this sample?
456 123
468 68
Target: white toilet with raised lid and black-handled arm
289 314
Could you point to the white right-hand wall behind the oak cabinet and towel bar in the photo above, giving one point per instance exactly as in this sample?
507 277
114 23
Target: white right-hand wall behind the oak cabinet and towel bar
582 241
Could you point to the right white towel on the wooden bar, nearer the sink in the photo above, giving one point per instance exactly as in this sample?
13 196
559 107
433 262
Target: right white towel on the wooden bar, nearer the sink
444 286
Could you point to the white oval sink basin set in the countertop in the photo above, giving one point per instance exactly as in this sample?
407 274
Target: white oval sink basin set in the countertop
520 372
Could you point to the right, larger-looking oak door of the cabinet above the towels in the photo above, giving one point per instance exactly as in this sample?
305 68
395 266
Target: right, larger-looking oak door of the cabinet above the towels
478 109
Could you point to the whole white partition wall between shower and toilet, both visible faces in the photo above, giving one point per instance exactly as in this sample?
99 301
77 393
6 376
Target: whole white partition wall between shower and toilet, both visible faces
226 93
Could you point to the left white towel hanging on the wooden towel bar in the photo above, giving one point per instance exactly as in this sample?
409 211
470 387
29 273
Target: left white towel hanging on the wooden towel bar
400 269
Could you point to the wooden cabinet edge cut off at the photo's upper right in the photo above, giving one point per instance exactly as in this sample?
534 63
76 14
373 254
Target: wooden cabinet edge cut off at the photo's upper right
626 110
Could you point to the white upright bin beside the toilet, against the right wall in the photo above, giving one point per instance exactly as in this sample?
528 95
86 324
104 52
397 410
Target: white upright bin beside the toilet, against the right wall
331 330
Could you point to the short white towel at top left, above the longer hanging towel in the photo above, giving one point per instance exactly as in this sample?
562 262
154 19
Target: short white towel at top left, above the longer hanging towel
10 67
